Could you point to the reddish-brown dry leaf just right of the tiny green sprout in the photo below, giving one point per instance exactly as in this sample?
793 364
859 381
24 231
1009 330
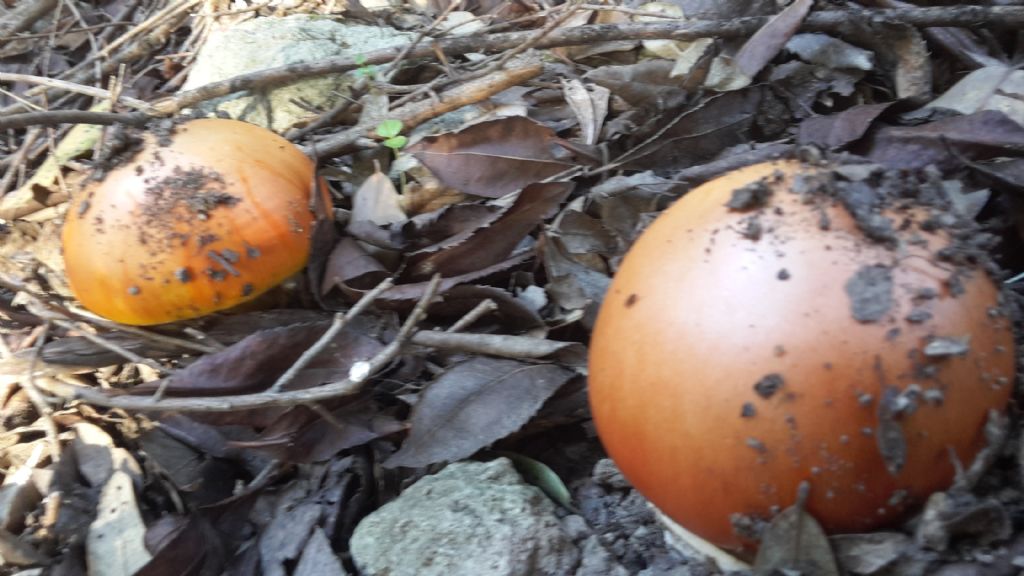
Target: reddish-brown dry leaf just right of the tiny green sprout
494 158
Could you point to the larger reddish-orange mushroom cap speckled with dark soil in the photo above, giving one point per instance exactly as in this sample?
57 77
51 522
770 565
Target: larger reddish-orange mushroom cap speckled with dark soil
741 353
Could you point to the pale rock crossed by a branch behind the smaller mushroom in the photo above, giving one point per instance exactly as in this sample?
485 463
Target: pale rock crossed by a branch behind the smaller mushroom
269 43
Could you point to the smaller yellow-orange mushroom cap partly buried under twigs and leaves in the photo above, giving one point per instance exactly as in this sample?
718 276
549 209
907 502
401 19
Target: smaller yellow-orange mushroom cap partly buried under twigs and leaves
212 219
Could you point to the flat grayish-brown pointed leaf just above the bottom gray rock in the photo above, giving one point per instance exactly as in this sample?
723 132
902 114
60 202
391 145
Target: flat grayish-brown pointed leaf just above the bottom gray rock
475 404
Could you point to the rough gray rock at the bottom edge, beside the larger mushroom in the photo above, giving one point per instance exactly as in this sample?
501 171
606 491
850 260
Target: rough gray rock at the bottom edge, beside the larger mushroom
471 519
